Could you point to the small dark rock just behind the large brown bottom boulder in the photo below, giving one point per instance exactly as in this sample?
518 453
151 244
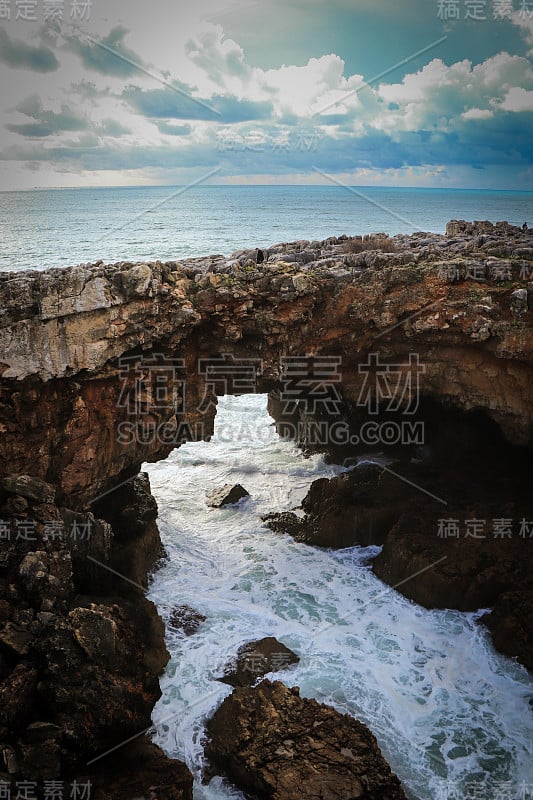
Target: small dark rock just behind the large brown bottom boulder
257 658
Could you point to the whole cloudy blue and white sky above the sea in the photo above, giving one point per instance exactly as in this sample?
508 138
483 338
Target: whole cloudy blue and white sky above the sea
417 93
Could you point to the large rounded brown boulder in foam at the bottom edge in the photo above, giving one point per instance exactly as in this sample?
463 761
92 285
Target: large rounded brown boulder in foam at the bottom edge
274 744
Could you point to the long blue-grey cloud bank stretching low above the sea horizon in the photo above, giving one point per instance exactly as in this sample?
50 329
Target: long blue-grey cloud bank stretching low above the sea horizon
504 141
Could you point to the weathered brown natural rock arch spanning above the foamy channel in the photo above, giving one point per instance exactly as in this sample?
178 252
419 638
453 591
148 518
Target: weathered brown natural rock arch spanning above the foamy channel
74 343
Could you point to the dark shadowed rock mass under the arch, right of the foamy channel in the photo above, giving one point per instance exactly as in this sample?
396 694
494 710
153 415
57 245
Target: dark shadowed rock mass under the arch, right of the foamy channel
455 527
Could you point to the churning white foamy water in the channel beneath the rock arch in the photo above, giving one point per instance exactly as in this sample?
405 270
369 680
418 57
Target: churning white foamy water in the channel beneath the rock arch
451 715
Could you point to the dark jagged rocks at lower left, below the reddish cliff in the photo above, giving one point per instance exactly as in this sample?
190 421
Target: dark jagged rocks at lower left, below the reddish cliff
81 648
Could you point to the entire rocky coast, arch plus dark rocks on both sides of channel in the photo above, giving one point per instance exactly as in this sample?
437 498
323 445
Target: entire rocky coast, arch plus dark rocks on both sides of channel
81 647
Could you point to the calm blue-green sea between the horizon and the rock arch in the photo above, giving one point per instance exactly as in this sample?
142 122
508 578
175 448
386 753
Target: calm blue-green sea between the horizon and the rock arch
63 227
